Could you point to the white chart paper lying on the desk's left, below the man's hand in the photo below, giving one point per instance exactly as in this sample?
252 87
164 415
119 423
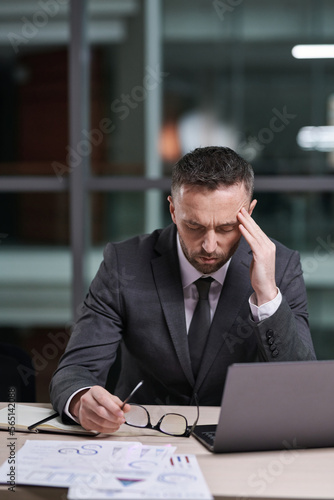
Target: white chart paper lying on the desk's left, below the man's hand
89 462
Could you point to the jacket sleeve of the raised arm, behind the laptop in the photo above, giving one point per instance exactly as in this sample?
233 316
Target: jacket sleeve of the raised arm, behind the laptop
285 336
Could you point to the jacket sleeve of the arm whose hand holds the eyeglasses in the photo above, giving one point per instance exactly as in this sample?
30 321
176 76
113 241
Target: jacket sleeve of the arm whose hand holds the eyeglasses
93 344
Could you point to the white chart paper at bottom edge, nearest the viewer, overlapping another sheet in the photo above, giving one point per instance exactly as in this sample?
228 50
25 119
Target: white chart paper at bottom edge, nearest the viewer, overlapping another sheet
179 477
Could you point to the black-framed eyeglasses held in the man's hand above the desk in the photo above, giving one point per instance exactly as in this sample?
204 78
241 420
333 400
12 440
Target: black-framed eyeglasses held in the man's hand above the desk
172 424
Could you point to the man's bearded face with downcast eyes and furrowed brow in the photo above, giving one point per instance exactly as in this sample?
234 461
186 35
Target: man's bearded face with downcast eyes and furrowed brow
207 223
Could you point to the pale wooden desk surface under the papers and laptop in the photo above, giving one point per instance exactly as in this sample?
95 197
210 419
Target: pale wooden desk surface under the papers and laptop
294 474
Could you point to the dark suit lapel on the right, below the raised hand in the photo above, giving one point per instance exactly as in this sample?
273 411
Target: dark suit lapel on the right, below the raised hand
236 290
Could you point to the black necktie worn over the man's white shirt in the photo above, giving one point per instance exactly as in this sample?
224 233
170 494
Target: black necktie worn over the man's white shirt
200 323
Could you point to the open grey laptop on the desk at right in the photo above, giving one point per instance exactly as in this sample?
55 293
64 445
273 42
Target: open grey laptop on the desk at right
274 406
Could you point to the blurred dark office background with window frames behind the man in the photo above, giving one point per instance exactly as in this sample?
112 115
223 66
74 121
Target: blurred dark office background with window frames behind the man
98 99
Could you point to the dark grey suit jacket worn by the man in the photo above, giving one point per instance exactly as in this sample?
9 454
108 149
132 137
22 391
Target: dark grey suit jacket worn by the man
136 298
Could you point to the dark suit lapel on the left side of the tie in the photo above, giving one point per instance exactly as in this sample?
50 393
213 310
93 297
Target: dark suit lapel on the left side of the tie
166 272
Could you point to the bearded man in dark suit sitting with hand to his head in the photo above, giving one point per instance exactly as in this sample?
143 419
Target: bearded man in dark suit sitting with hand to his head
174 335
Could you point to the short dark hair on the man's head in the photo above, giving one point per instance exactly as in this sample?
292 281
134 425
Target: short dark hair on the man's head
212 167
